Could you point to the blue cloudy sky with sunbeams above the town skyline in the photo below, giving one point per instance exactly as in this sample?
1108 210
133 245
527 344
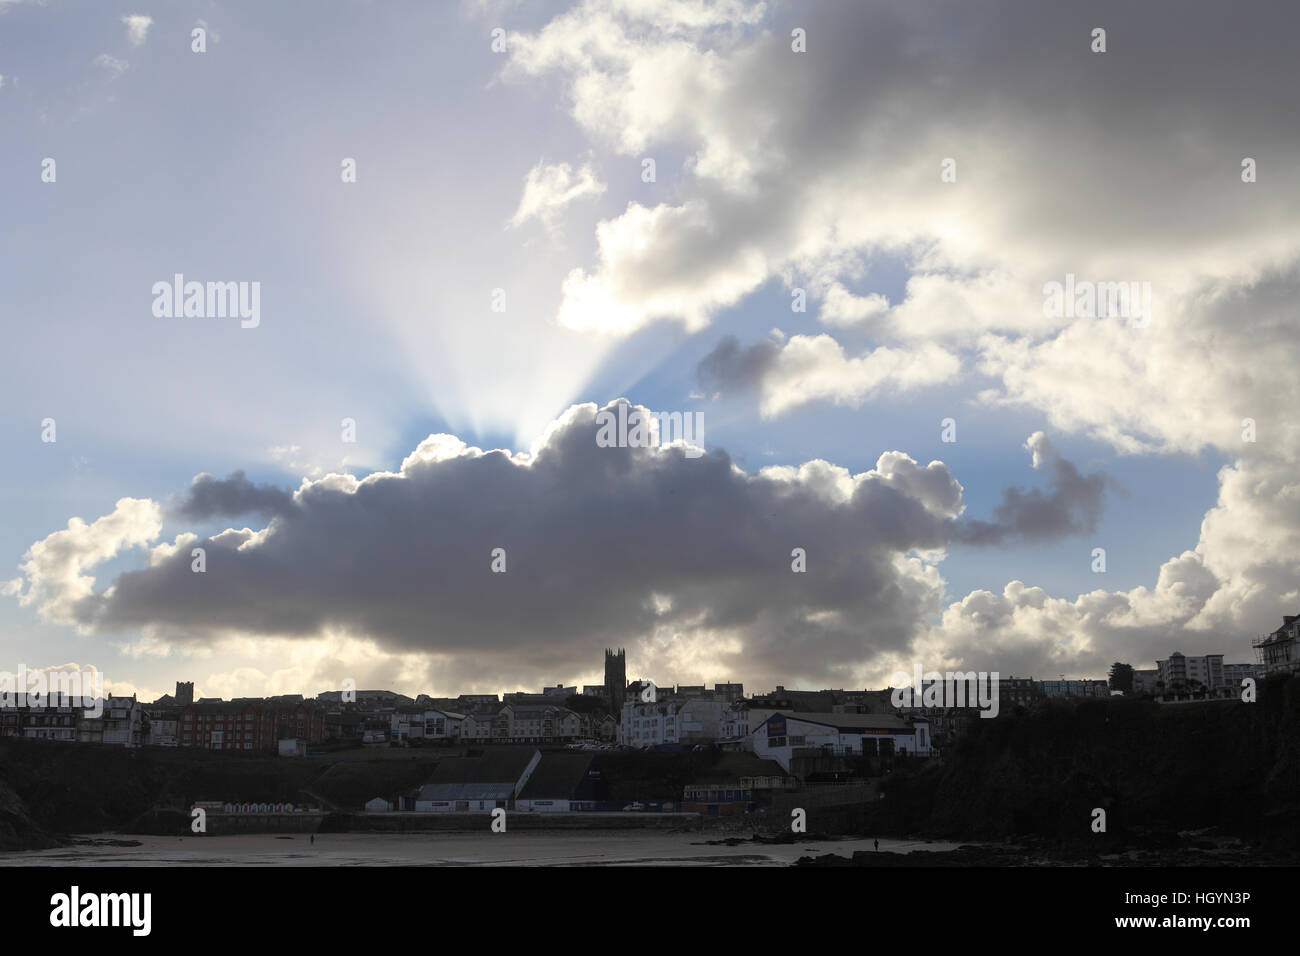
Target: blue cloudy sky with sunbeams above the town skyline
830 231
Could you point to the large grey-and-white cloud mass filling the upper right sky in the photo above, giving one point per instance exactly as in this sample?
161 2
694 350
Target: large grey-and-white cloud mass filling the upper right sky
804 167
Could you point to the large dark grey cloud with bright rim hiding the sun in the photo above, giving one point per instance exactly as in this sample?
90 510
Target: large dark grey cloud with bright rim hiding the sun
603 546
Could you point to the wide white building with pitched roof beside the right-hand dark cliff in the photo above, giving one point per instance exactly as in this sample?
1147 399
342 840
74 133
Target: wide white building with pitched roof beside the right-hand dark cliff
783 737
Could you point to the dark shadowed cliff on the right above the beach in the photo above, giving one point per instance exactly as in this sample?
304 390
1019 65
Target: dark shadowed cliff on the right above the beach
1154 768
